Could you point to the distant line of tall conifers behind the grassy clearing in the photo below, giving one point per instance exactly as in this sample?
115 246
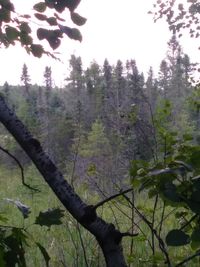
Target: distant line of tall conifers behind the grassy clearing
106 115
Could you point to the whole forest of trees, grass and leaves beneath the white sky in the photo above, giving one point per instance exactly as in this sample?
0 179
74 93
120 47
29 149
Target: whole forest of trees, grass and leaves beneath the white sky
125 143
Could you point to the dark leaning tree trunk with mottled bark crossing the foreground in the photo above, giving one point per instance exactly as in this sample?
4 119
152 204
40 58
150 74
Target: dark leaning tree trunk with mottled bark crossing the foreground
107 236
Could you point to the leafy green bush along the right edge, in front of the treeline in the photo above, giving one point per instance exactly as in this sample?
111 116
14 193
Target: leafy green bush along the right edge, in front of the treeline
172 179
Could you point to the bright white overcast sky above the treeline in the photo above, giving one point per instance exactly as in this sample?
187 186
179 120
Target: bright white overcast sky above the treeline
113 30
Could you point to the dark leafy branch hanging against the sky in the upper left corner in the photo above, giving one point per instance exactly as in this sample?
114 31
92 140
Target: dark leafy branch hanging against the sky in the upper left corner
15 27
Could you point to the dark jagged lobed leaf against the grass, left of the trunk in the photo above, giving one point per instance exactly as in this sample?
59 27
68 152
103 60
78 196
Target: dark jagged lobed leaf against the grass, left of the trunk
50 217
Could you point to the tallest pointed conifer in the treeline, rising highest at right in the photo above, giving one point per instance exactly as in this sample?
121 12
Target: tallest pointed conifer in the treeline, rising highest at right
175 84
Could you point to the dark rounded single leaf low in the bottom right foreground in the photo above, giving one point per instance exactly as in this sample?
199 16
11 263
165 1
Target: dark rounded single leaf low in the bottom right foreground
177 237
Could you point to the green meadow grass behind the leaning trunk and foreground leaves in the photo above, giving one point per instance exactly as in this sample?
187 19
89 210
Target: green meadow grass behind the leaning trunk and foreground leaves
63 242
